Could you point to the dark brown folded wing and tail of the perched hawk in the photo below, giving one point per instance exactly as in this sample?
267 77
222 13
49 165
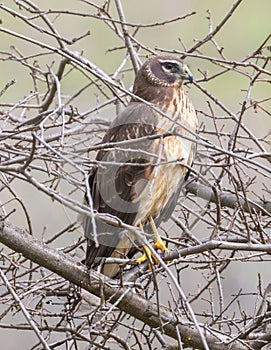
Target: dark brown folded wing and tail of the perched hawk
120 176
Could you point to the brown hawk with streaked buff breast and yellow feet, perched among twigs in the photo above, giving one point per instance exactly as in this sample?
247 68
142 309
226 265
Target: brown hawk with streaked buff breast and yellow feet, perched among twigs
139 177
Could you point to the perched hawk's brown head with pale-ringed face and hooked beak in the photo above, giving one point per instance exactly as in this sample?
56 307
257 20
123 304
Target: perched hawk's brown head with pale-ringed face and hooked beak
165 71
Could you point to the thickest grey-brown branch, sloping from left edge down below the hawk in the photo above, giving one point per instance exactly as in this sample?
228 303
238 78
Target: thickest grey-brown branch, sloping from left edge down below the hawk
124 298
